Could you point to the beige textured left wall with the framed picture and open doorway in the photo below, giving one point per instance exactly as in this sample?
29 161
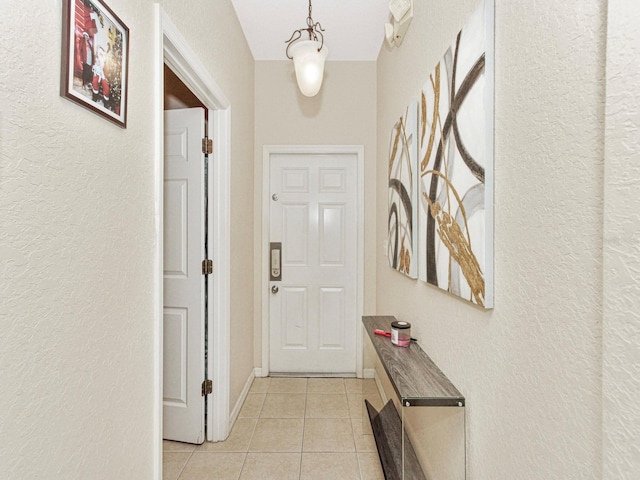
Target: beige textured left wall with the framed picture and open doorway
77 240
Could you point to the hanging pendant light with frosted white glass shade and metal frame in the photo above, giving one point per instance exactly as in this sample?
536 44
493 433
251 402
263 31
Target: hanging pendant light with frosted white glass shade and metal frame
308 56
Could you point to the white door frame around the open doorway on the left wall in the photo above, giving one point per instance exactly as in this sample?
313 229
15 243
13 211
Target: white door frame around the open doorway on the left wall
172 48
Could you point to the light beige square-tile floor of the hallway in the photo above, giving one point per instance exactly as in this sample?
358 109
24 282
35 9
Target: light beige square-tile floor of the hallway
289 429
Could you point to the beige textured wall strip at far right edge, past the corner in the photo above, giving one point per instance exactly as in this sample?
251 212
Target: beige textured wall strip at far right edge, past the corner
621 272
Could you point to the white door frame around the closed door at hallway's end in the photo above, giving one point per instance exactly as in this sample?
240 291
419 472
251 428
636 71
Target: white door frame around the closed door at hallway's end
267 152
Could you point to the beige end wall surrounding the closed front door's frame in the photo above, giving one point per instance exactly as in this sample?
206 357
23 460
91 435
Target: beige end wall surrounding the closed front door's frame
343 113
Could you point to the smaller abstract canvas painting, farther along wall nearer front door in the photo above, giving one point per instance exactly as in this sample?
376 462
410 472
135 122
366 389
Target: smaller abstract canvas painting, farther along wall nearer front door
402 218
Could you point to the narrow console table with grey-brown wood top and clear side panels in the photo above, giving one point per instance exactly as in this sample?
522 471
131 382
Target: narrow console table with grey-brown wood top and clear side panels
418 382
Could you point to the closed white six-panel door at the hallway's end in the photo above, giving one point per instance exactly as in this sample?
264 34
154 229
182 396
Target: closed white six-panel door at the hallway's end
313 309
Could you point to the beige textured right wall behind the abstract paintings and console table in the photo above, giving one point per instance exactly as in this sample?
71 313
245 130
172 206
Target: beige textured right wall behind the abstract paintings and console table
530 368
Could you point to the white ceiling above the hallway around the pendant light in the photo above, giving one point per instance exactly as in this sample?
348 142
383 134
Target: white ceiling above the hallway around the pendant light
354 29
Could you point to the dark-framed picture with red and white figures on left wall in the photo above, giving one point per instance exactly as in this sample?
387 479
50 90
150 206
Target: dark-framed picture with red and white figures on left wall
95 58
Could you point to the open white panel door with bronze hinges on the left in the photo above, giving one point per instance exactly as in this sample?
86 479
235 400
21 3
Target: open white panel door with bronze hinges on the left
184 299
